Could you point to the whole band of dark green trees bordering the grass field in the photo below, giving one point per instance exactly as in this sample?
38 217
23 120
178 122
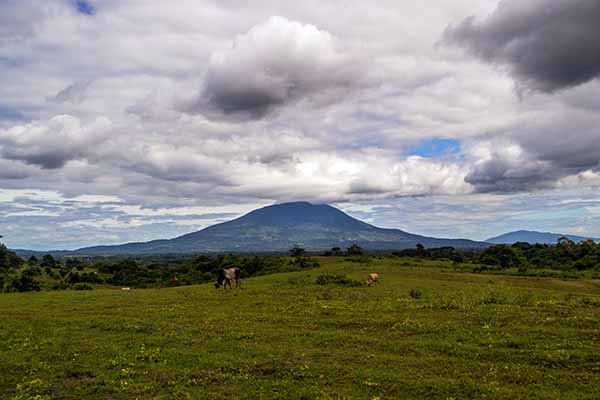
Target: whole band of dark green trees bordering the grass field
564 259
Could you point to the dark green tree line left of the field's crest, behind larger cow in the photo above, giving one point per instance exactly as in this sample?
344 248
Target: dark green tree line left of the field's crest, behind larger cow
81 273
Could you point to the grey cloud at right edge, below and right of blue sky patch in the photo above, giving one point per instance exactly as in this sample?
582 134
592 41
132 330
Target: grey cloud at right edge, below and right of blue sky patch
538 154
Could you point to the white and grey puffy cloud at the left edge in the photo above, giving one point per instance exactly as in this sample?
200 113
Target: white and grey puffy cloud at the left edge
51 144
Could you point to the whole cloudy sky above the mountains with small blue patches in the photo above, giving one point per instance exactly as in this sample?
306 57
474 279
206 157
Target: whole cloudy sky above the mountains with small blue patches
132 120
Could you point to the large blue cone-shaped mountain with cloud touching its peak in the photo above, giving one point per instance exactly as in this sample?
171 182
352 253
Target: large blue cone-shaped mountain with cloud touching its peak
278 227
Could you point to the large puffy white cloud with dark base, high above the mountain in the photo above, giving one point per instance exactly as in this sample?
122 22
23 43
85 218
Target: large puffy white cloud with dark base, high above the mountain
274 63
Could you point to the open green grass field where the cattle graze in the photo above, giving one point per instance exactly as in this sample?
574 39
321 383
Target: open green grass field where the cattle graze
459 336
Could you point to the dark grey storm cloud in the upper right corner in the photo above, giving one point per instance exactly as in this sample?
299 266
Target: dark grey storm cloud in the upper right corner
547 44
